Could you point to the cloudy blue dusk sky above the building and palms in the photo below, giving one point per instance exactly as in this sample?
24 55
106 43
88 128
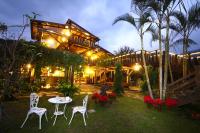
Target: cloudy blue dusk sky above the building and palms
96 16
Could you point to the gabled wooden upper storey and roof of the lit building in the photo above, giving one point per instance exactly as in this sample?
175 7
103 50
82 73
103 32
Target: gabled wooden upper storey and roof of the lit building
80 40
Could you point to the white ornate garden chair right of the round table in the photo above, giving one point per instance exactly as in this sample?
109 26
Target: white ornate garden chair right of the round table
80 109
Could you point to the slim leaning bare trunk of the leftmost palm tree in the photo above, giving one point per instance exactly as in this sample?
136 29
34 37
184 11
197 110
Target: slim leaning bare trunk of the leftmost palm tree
145 66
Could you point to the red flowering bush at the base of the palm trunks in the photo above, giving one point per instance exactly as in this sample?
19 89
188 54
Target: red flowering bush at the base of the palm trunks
157 103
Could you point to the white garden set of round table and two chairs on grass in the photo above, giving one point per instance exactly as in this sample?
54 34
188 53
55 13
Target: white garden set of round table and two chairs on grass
34 99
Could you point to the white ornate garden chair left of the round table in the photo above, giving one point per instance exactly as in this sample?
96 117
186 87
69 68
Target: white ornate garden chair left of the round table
34 99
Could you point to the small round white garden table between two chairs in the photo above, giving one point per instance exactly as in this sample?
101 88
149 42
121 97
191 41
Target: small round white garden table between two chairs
57 101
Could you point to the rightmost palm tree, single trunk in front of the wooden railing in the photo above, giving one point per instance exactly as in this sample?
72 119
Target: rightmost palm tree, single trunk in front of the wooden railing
187 23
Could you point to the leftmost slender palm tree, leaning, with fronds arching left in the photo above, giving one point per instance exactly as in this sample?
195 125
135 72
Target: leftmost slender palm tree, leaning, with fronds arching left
139 23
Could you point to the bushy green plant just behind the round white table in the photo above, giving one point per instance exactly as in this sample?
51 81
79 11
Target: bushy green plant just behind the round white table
66 88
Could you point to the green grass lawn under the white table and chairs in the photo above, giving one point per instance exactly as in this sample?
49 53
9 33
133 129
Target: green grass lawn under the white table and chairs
126 115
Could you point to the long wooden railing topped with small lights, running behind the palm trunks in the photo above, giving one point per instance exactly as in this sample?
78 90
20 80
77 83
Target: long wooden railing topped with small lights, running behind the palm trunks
152 58
